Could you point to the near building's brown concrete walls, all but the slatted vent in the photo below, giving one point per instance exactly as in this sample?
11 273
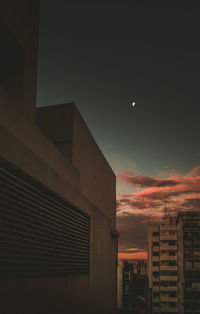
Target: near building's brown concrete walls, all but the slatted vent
77 172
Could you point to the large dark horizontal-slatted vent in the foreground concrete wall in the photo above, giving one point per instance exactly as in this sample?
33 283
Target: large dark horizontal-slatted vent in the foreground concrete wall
41 234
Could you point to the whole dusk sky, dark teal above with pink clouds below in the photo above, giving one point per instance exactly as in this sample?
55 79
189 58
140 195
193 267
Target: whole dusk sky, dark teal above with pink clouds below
104 56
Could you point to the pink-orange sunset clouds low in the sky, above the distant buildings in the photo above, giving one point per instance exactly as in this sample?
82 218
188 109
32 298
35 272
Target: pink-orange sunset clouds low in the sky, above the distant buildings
147 205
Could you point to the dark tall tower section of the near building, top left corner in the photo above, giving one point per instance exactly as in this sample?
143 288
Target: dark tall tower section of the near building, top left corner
20 18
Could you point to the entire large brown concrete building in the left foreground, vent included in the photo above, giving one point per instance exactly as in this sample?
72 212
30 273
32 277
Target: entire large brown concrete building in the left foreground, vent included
58 244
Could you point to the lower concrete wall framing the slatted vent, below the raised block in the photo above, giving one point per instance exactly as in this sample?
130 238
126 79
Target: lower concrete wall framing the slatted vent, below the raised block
25 146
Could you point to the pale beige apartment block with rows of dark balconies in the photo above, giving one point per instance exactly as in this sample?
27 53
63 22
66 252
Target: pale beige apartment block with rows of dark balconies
162 267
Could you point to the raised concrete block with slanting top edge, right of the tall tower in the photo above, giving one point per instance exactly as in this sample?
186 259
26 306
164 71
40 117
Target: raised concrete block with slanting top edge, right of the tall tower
67 130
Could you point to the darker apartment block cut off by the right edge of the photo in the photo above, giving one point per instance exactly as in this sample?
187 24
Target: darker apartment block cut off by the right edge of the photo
189 266
